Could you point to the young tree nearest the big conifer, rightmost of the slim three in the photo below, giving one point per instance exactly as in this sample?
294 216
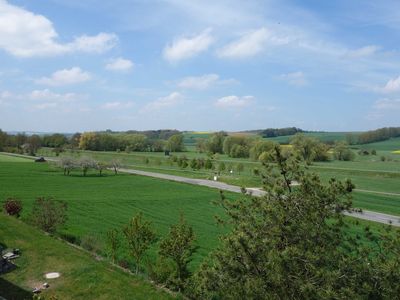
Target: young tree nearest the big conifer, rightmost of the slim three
178 247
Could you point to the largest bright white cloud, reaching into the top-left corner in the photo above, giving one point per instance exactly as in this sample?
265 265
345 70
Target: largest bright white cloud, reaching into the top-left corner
25 34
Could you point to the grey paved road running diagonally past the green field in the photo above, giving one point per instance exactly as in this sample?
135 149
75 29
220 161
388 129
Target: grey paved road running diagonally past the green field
365 214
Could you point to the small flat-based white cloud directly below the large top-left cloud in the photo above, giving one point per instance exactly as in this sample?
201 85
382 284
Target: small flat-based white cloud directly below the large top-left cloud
65 77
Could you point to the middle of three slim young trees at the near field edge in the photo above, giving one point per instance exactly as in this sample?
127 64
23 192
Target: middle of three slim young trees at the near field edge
139 236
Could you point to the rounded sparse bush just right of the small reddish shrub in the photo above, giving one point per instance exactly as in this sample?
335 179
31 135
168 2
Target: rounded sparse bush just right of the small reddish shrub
49 214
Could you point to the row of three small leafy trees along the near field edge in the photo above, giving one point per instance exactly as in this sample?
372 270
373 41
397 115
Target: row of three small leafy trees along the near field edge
174 254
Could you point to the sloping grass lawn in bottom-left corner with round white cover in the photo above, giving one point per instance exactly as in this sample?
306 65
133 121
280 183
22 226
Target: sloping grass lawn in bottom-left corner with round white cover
82 277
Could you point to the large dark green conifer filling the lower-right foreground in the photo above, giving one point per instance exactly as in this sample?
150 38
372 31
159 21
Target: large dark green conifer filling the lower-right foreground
295 244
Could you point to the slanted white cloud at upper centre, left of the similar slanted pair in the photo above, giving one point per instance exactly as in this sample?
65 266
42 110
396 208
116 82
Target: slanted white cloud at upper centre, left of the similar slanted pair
187 47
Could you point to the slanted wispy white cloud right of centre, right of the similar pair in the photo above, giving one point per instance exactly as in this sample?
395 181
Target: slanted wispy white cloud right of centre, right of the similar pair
250 44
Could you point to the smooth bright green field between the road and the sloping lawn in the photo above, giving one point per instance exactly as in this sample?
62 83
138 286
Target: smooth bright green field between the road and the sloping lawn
97 204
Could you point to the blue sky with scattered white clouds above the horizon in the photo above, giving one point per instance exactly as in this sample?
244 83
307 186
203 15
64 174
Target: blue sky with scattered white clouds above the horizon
204 65
